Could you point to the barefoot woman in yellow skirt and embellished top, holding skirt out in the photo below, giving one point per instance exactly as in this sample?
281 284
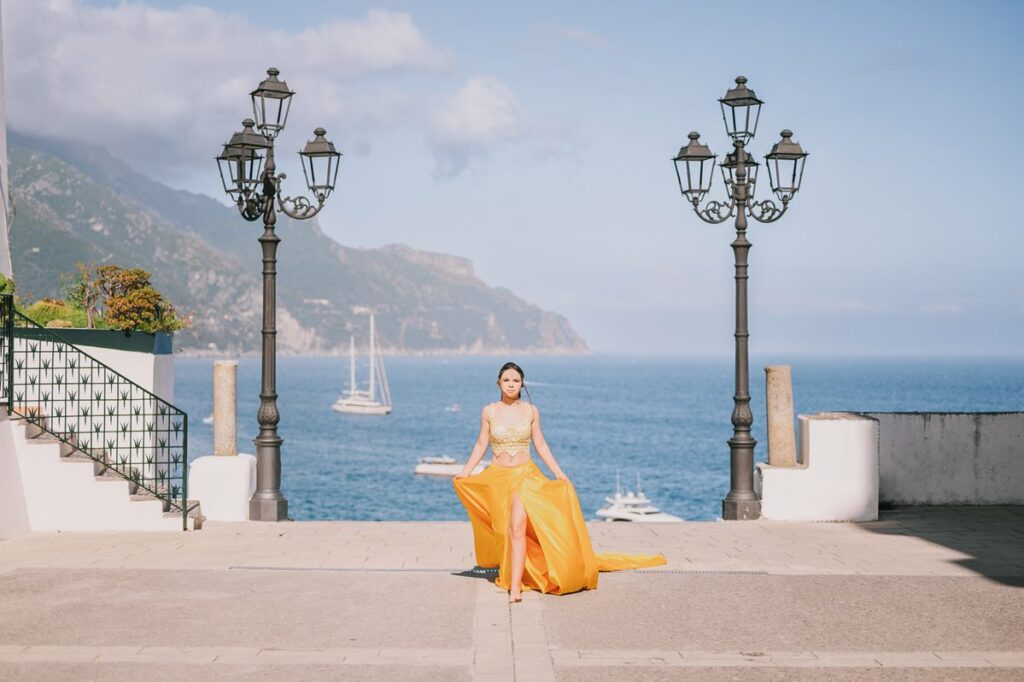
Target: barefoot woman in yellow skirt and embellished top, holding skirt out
528 525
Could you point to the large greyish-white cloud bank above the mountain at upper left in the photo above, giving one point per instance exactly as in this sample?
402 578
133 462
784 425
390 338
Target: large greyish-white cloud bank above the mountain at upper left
166 88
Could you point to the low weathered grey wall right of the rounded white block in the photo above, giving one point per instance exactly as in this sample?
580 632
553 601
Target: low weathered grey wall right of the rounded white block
951 458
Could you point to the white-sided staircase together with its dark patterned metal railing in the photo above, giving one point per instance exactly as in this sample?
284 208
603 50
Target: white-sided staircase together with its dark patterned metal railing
94 450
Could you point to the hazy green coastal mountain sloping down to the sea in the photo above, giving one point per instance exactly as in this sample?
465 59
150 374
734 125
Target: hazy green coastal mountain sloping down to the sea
77 203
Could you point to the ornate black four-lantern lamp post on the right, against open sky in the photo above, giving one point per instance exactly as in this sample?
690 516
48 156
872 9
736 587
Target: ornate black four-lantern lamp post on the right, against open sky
695 169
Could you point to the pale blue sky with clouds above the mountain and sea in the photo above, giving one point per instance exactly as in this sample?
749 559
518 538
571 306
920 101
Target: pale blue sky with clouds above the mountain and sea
535 139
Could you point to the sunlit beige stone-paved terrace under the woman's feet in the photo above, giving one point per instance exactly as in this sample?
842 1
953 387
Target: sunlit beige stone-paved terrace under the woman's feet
923 594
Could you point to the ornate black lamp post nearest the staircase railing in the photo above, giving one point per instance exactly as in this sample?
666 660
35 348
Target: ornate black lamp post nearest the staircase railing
249 175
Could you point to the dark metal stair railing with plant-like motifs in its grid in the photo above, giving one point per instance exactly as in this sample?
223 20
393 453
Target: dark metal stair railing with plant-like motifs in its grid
93 408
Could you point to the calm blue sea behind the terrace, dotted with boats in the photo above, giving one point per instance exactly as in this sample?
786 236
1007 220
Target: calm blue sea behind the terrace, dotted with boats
664 419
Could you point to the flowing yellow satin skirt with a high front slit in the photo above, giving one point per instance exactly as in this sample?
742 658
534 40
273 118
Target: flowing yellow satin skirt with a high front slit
560 557
